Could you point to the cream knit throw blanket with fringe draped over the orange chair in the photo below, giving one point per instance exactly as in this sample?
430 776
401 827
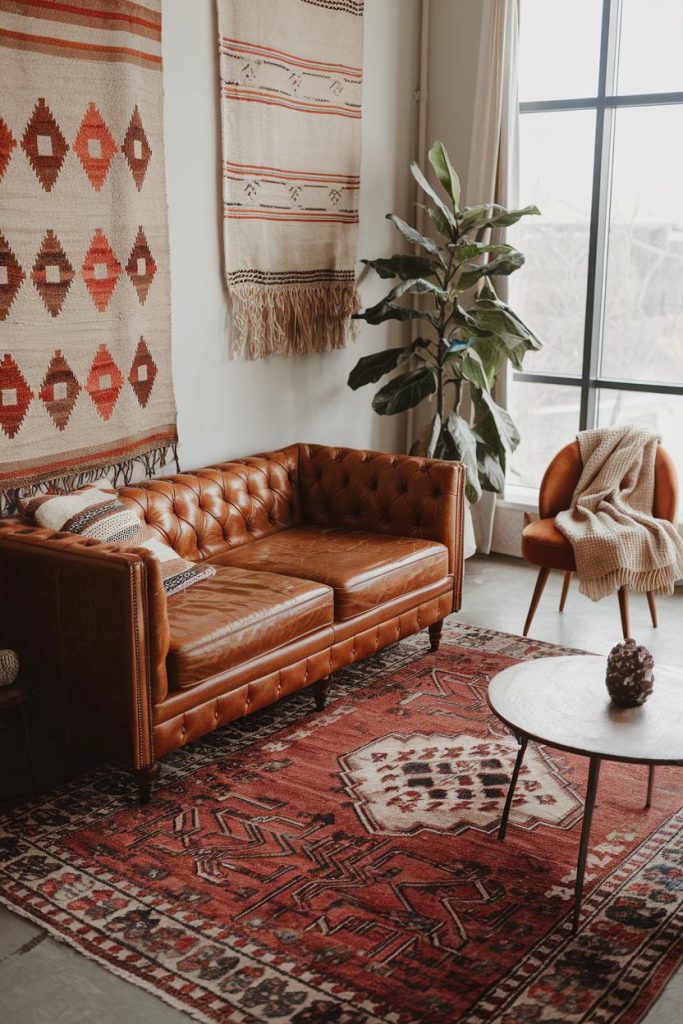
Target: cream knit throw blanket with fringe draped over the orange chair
617 541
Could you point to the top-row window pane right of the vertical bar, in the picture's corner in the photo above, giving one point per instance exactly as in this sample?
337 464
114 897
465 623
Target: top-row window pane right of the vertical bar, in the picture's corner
651 48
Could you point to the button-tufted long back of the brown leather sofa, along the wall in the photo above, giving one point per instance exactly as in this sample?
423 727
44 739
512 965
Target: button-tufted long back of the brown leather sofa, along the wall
203 514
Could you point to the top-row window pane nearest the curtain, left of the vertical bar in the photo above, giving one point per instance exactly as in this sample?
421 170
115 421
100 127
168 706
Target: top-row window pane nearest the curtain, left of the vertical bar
560 50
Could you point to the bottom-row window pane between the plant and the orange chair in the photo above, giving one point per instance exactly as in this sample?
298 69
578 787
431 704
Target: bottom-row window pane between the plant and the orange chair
547 417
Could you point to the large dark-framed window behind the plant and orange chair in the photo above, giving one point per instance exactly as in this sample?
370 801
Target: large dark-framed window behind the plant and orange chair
602 154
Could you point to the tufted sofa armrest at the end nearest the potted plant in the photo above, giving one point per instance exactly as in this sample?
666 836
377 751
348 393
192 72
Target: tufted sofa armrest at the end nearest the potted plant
387 494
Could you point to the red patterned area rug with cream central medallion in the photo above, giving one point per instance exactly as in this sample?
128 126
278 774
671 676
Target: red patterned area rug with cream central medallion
344 868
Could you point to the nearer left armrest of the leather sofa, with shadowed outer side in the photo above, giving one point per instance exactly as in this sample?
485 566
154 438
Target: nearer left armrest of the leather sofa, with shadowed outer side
88 622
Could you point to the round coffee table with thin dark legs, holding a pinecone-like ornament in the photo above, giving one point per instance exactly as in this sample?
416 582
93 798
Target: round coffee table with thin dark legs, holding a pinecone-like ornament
563 702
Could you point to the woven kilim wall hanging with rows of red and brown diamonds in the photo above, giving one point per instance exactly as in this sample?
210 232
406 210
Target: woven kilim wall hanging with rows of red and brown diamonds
86 371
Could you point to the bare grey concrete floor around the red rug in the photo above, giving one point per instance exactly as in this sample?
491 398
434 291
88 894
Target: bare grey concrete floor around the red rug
46 982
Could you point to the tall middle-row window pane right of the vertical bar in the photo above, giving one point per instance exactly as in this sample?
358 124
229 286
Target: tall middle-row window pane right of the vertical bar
644 332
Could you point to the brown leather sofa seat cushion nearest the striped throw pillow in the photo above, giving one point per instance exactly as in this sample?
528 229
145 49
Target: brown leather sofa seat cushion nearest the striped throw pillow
237 616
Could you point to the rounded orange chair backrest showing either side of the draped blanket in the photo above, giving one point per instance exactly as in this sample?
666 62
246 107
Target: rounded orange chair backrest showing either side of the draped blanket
564 474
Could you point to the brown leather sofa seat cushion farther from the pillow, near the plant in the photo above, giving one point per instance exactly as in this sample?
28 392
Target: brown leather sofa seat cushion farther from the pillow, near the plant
365 570
